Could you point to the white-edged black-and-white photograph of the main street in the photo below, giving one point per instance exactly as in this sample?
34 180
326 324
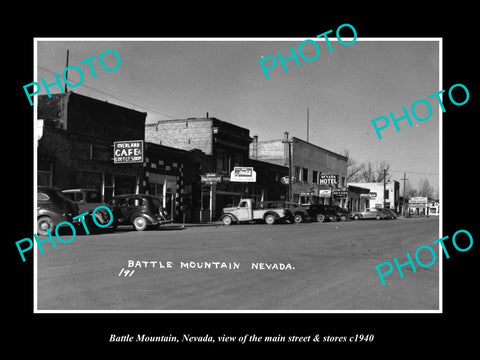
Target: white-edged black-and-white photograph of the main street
239 174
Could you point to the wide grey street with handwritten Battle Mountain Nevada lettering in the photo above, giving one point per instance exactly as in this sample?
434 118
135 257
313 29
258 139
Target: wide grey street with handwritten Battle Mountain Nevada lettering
332 268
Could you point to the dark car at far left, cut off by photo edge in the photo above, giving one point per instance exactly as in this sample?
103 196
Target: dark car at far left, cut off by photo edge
53 208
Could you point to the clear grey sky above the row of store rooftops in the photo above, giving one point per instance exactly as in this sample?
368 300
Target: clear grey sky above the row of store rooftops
343 90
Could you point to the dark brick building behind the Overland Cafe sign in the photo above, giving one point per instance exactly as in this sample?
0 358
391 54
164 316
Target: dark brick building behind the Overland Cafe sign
76 151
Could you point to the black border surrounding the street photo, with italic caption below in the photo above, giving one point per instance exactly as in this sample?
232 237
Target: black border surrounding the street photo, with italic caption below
90 332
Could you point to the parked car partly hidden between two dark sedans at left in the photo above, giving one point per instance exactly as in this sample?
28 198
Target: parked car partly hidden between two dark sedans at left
87 200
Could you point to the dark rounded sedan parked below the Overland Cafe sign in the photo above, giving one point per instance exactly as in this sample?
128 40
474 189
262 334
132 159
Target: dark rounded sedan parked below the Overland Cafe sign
140 210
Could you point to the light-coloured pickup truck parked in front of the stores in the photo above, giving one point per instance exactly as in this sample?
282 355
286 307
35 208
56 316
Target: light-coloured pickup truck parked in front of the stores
249 210
